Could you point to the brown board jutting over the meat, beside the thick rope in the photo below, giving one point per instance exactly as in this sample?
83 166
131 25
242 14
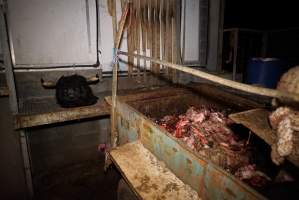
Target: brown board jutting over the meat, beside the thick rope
257 121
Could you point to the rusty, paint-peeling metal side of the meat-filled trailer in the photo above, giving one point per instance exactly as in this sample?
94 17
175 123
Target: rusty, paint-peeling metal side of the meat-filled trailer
209 180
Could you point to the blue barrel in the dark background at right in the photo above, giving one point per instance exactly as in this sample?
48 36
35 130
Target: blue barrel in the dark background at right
264 72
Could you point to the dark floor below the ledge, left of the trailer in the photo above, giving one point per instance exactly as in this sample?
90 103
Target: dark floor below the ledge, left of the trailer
83 181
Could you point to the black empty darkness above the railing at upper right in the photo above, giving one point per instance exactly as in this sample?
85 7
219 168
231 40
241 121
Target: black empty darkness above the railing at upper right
261 14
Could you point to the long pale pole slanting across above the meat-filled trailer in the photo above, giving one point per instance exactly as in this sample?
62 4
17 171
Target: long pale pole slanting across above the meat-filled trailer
283 96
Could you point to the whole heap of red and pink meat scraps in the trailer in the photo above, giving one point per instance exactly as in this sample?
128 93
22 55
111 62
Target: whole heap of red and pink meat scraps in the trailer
207 130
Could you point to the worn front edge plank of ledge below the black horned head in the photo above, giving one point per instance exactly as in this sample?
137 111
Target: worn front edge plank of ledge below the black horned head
26 121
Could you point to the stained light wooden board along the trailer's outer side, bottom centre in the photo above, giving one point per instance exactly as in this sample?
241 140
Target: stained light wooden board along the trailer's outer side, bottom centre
148 177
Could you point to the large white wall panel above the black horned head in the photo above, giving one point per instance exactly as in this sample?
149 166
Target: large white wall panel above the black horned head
53 33
